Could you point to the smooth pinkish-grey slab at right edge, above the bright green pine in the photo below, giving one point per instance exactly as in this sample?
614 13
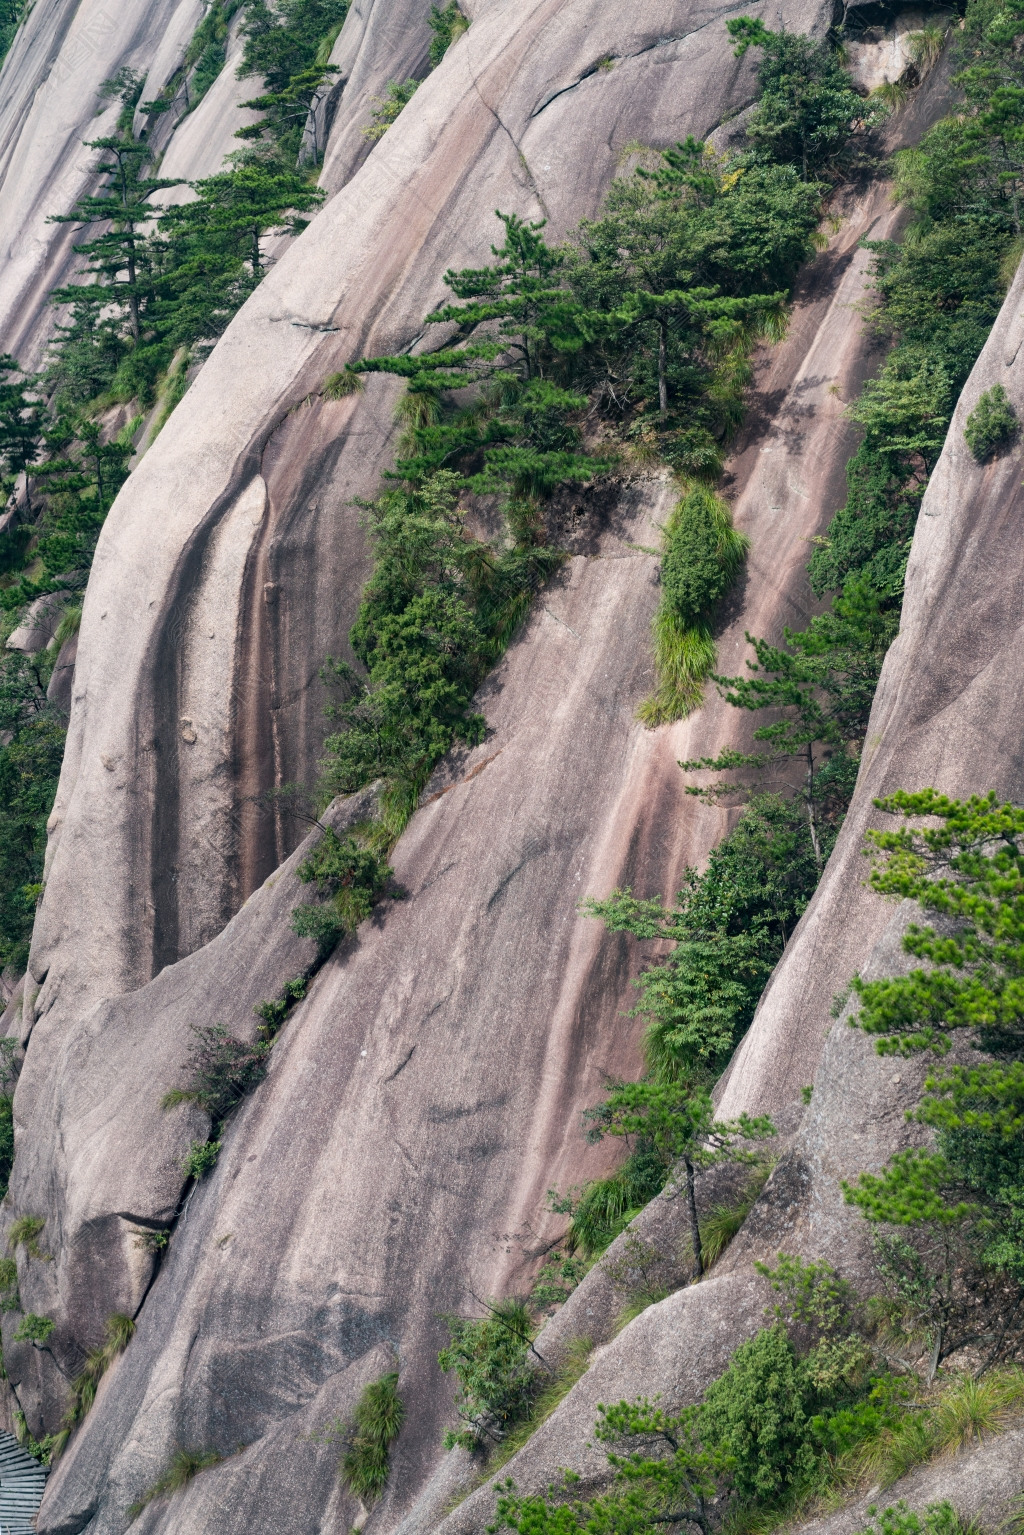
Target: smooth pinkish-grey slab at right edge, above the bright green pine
946 716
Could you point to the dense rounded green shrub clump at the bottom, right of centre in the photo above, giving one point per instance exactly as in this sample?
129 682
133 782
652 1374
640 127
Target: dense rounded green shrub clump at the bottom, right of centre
793 1395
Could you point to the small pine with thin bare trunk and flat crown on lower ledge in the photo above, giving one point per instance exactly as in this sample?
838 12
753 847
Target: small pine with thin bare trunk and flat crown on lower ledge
678 1118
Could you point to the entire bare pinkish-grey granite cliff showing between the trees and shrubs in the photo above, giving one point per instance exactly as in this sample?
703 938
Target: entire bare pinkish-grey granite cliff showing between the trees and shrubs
426 1094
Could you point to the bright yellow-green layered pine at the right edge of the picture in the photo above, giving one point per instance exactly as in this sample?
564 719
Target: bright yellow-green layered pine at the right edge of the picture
951 1246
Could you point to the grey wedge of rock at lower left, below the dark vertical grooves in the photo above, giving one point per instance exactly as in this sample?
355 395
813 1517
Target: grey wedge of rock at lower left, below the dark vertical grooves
114 1155
